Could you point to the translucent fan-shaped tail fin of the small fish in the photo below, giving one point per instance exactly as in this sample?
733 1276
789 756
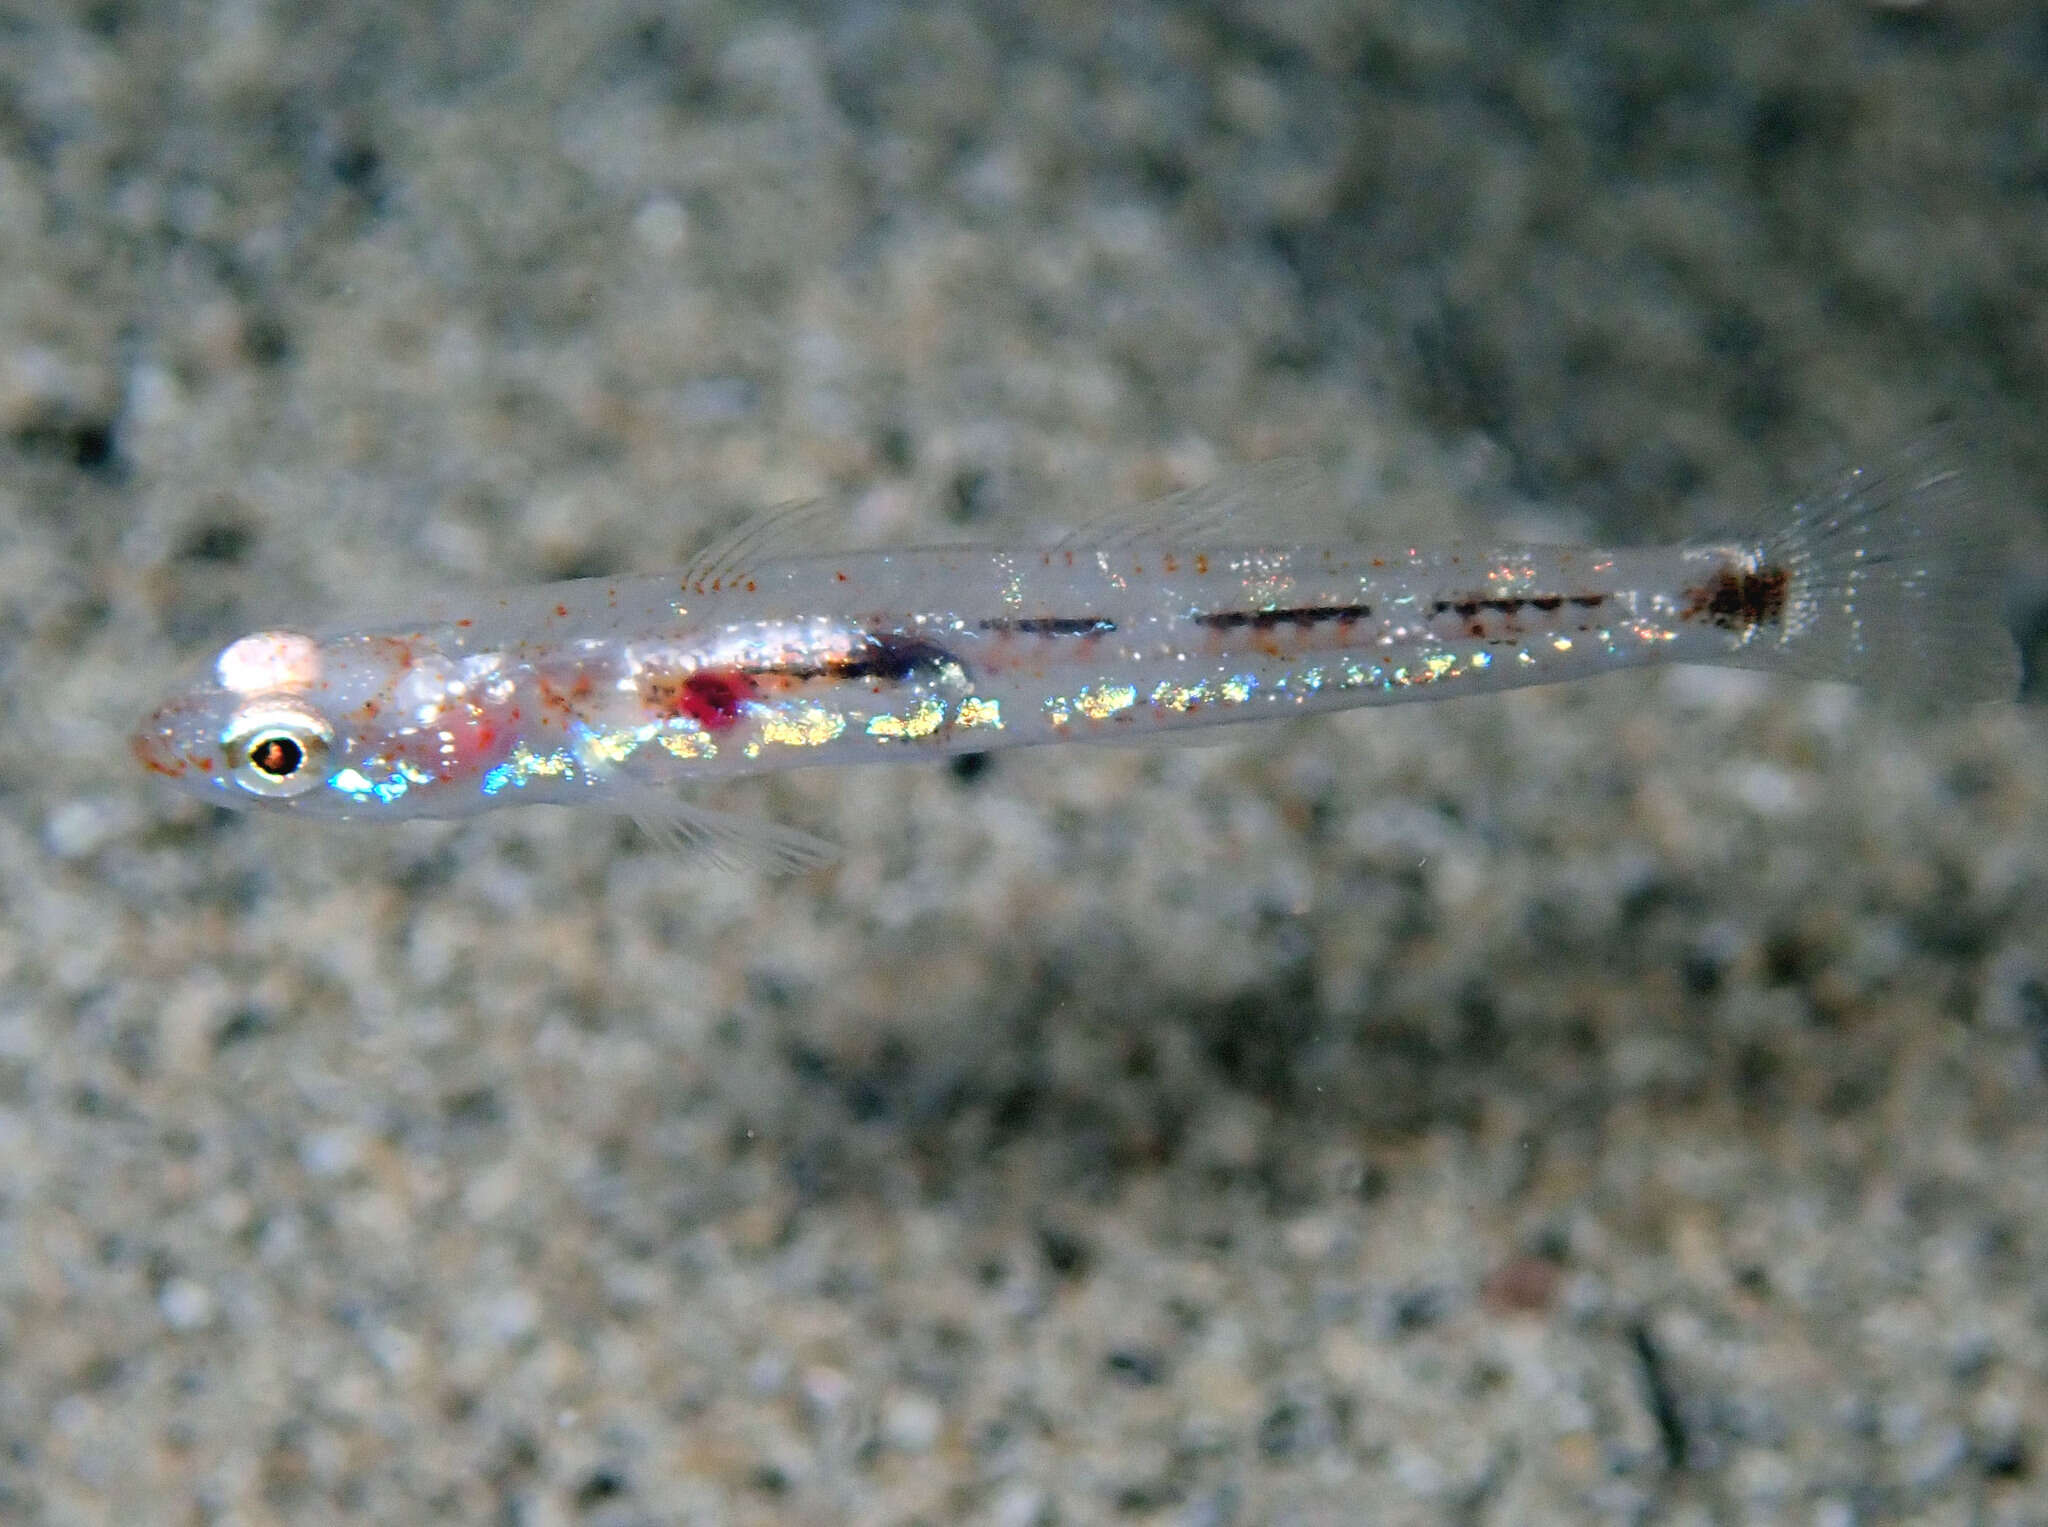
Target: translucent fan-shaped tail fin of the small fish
1891 578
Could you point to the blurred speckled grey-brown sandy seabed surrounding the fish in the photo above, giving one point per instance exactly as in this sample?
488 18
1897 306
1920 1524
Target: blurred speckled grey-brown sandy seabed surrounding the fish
1605 1104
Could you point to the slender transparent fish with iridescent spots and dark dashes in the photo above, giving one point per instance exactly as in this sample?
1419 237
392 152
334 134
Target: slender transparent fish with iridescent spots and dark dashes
1199 611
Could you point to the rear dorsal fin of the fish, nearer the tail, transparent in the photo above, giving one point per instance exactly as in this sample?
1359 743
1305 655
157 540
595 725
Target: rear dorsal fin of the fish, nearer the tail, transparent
1275 503
